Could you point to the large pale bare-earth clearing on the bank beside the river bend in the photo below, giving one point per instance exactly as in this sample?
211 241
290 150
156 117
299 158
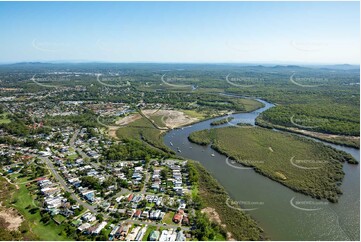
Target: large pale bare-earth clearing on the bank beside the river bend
172 118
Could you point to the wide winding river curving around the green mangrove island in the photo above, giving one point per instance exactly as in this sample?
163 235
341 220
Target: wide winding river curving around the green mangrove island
281 212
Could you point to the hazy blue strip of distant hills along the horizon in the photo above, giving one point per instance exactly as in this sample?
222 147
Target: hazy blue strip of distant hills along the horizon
227 67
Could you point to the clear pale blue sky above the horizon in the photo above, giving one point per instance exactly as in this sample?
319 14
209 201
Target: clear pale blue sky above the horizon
192 32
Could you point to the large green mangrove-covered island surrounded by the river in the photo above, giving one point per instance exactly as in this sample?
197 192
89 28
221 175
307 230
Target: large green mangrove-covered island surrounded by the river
298 163
